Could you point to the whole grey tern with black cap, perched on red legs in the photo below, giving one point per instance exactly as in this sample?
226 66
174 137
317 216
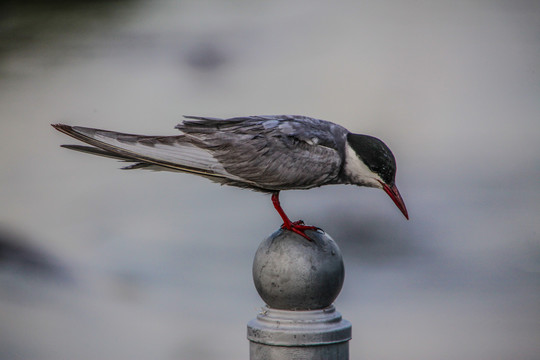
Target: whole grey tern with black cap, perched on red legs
267 153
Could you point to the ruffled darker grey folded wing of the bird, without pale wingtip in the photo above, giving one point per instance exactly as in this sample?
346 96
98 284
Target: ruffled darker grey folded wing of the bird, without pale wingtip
274 152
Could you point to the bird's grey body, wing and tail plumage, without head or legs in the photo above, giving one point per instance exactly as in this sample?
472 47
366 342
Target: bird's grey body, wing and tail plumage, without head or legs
263 153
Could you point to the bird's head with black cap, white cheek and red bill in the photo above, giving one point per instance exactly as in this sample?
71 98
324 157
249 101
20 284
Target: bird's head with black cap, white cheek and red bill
369 162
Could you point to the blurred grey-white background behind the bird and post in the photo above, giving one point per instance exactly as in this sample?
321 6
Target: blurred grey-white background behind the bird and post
99 263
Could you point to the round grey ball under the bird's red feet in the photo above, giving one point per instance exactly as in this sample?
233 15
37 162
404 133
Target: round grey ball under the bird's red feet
293 273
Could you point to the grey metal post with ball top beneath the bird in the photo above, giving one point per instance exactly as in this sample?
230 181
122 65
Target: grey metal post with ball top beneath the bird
298 280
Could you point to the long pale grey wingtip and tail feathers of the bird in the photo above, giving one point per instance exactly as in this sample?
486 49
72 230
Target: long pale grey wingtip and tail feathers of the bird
174 153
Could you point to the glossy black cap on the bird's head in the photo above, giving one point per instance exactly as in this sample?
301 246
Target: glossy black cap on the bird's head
375 154
